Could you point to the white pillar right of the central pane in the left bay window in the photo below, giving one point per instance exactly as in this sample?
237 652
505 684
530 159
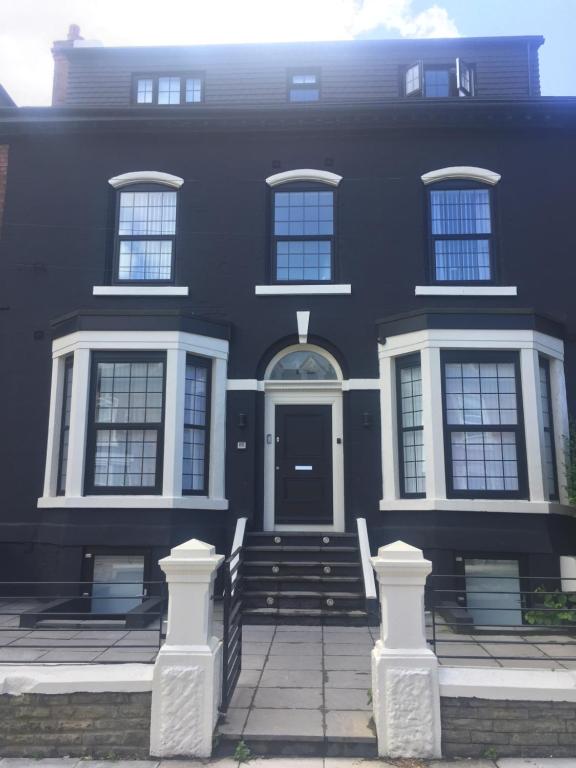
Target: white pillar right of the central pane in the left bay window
174 422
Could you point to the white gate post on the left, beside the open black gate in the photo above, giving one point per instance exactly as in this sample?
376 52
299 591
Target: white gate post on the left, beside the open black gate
188 669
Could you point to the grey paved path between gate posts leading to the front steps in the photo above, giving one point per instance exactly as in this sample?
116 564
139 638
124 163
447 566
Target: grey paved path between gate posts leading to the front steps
308 683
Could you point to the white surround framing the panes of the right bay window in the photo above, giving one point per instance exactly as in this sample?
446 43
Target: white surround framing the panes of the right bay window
429 343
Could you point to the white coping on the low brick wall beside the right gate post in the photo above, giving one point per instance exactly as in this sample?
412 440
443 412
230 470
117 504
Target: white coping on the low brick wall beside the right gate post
508 684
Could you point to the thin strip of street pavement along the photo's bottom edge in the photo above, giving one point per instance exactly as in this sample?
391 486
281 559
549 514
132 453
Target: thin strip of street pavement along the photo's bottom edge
292 762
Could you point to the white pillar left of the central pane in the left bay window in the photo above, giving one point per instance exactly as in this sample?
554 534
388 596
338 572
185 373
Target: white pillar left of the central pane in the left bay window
78 422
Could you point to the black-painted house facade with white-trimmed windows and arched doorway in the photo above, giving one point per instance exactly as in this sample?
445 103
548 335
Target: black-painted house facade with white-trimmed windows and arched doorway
300 284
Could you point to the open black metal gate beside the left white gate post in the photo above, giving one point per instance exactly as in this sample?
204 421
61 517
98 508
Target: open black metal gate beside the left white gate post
232 634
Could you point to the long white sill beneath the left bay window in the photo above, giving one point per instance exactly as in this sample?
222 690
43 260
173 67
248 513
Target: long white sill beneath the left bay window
131 502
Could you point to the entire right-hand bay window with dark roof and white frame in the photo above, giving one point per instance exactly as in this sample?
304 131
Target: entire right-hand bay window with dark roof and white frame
473 418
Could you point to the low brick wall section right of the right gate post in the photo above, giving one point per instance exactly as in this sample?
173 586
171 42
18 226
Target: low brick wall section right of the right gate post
489 728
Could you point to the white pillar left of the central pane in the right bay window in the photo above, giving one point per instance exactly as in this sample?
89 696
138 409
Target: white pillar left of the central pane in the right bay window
432 422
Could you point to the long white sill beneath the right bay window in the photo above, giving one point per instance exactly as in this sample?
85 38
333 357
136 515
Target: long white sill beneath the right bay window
522 506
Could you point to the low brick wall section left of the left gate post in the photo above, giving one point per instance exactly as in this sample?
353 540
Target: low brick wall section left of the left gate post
77 724
